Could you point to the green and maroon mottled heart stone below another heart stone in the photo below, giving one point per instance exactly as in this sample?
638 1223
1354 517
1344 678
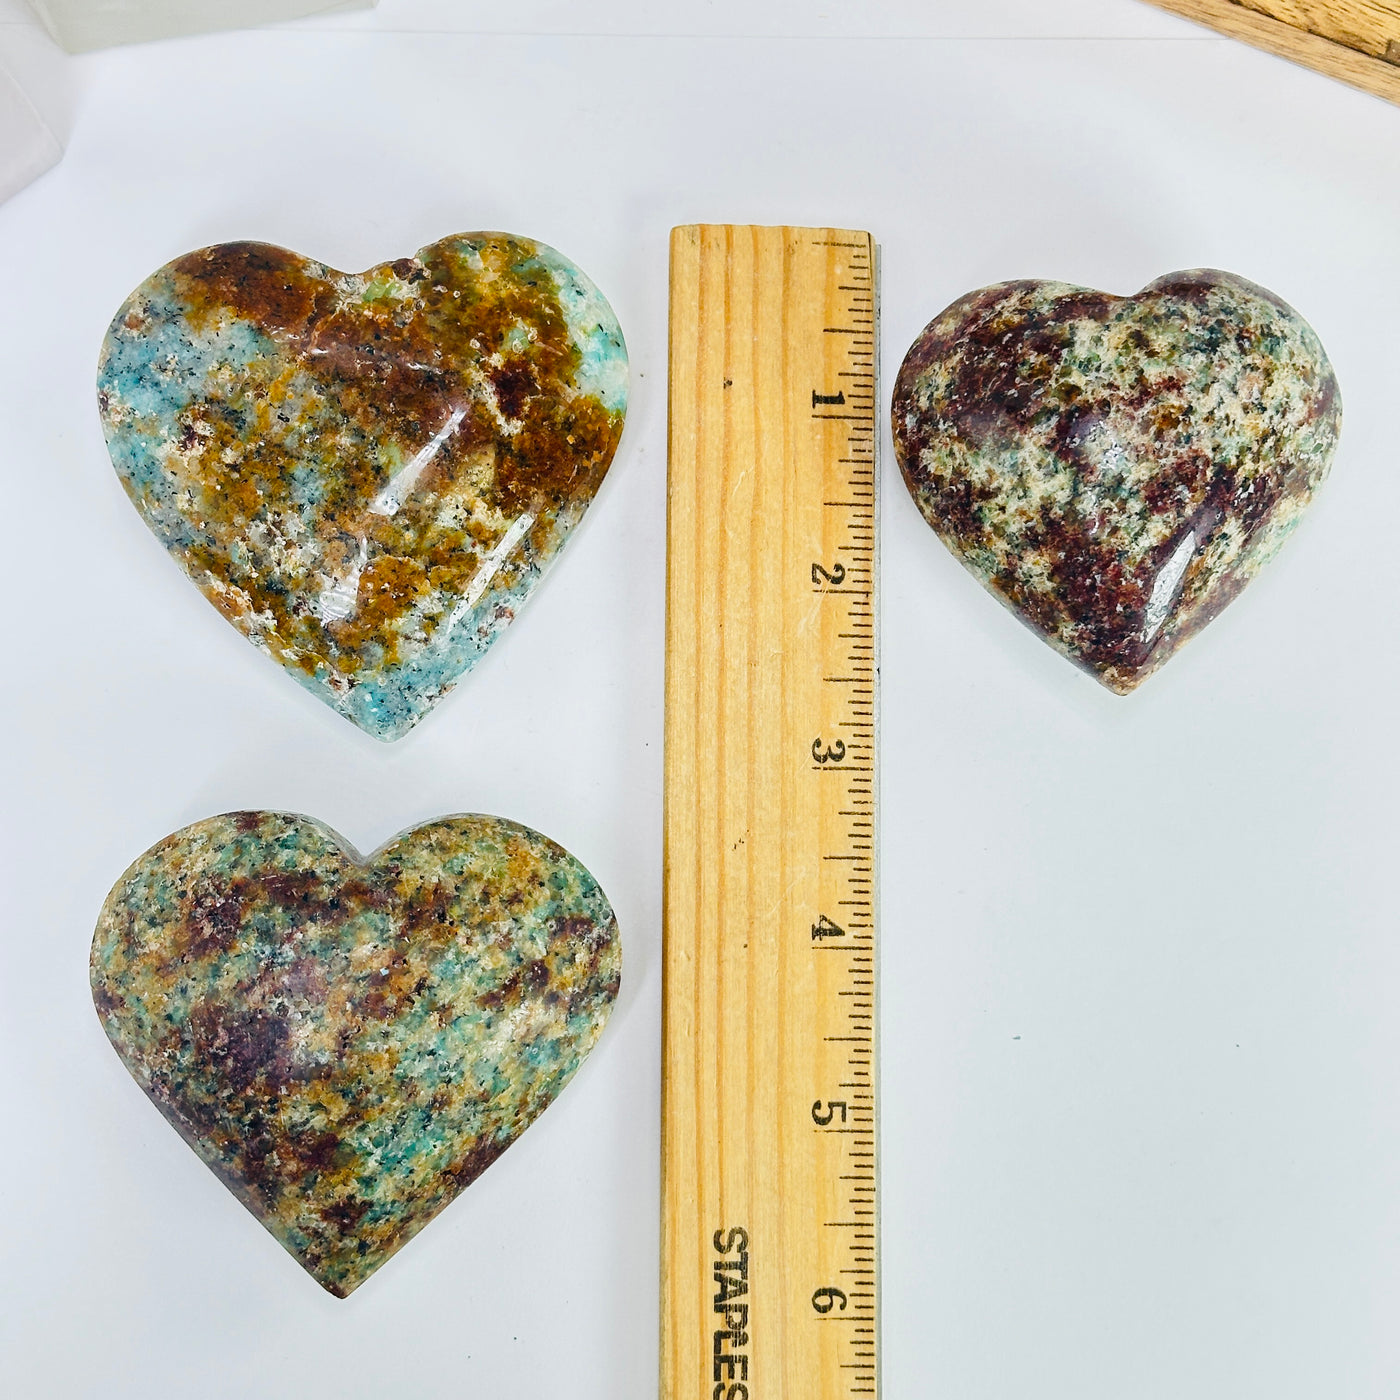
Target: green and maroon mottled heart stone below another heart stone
352 1042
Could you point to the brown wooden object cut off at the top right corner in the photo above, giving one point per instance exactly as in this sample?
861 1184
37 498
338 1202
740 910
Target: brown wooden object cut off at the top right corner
1340 40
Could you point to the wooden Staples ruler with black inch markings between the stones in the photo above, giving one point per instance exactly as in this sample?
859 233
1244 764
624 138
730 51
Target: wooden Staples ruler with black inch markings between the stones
769 1116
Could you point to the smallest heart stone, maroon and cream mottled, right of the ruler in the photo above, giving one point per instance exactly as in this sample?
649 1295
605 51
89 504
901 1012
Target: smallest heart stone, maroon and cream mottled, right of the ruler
1116 470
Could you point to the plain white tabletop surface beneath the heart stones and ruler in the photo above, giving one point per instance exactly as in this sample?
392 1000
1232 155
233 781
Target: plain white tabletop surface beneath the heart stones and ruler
1142 1129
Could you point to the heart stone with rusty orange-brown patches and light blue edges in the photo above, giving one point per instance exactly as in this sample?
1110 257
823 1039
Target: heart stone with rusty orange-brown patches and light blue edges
366 474
